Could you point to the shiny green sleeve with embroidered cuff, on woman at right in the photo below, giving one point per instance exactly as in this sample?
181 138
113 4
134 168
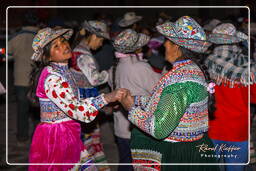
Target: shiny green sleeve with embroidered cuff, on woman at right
174 100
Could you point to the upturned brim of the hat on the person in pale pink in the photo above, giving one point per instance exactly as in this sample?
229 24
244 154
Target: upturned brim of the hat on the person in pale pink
142 41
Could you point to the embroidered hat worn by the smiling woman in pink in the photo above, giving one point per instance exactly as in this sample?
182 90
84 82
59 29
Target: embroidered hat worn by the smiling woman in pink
45 36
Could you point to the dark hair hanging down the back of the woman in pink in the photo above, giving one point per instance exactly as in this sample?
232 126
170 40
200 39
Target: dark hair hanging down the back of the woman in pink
37 67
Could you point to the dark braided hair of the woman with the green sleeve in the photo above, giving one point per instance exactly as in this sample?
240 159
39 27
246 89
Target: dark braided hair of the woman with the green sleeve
199 61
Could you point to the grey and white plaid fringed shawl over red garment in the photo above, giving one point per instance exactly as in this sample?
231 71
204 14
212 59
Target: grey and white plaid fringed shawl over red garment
228 65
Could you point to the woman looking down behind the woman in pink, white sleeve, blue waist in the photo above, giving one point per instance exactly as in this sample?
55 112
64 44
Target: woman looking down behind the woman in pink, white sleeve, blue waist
87 76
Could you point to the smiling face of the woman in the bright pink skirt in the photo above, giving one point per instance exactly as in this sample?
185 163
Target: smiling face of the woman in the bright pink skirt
60 50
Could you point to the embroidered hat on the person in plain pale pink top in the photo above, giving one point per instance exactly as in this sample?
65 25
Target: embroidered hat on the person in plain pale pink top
129 41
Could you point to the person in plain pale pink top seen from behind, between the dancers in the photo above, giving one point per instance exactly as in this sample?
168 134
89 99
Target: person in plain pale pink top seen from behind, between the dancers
133 73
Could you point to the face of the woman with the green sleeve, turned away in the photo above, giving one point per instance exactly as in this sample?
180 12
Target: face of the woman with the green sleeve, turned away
172 52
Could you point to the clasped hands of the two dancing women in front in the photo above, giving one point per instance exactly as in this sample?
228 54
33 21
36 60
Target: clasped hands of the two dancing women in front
122 95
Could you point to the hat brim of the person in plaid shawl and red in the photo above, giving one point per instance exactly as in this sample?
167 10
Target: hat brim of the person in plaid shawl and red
224 38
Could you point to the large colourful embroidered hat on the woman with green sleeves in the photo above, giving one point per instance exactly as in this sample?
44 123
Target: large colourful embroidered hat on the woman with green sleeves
185 32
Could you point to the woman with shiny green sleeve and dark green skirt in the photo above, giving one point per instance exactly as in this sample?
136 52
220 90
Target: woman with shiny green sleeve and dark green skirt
175 115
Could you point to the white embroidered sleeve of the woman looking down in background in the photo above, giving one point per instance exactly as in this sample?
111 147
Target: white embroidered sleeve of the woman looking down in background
88 66
